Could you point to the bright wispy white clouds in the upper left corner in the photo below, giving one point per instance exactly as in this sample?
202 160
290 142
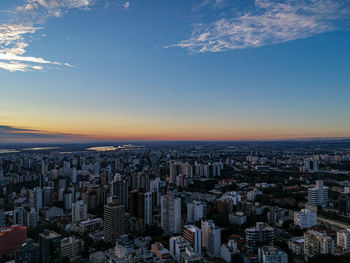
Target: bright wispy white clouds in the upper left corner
26 20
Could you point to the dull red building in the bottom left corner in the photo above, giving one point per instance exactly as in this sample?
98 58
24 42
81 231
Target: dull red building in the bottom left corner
11 238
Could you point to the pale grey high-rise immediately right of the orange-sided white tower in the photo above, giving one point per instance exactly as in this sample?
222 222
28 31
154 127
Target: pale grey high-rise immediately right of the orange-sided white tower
211 237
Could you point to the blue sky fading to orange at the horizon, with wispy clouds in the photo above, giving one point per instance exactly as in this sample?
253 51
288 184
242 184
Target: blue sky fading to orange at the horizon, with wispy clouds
90 70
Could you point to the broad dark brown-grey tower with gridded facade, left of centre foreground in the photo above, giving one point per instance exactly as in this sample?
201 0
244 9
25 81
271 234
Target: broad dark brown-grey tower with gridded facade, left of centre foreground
114 225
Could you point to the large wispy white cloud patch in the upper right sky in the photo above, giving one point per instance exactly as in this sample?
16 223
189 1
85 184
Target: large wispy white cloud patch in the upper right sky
267 22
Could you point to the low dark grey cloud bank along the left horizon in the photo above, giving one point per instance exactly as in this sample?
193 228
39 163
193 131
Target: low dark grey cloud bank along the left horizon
16 134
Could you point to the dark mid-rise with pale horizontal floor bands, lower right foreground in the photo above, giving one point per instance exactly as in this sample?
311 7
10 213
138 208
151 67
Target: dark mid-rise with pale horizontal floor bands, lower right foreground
261 234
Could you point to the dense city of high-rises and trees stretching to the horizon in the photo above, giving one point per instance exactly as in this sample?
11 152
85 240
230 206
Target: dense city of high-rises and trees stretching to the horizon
286 201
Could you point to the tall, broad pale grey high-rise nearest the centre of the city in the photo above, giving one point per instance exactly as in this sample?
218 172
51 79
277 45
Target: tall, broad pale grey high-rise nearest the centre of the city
171 213
